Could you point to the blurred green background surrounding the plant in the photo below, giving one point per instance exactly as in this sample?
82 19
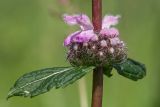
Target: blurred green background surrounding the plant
31 38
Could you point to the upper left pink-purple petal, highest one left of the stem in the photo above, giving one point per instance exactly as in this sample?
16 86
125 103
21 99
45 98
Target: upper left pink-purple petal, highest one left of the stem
80 19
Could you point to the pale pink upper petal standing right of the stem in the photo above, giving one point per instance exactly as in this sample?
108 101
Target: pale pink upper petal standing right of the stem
109 20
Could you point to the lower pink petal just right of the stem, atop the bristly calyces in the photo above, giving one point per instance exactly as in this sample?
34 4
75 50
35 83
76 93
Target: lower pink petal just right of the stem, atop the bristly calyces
111 33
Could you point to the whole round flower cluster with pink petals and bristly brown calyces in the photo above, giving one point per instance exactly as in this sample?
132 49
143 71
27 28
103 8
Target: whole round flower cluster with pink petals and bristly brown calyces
87 47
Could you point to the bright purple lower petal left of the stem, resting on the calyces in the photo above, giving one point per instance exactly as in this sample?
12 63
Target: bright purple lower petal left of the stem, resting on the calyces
84 36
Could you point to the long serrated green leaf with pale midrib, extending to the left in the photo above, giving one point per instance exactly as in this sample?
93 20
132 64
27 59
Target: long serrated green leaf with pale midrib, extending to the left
41 81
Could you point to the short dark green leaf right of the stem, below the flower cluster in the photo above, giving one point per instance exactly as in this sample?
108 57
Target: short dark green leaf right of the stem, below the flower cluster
131 69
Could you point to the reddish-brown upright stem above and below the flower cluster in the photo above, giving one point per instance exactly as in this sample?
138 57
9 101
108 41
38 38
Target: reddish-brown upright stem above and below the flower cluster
97 89
